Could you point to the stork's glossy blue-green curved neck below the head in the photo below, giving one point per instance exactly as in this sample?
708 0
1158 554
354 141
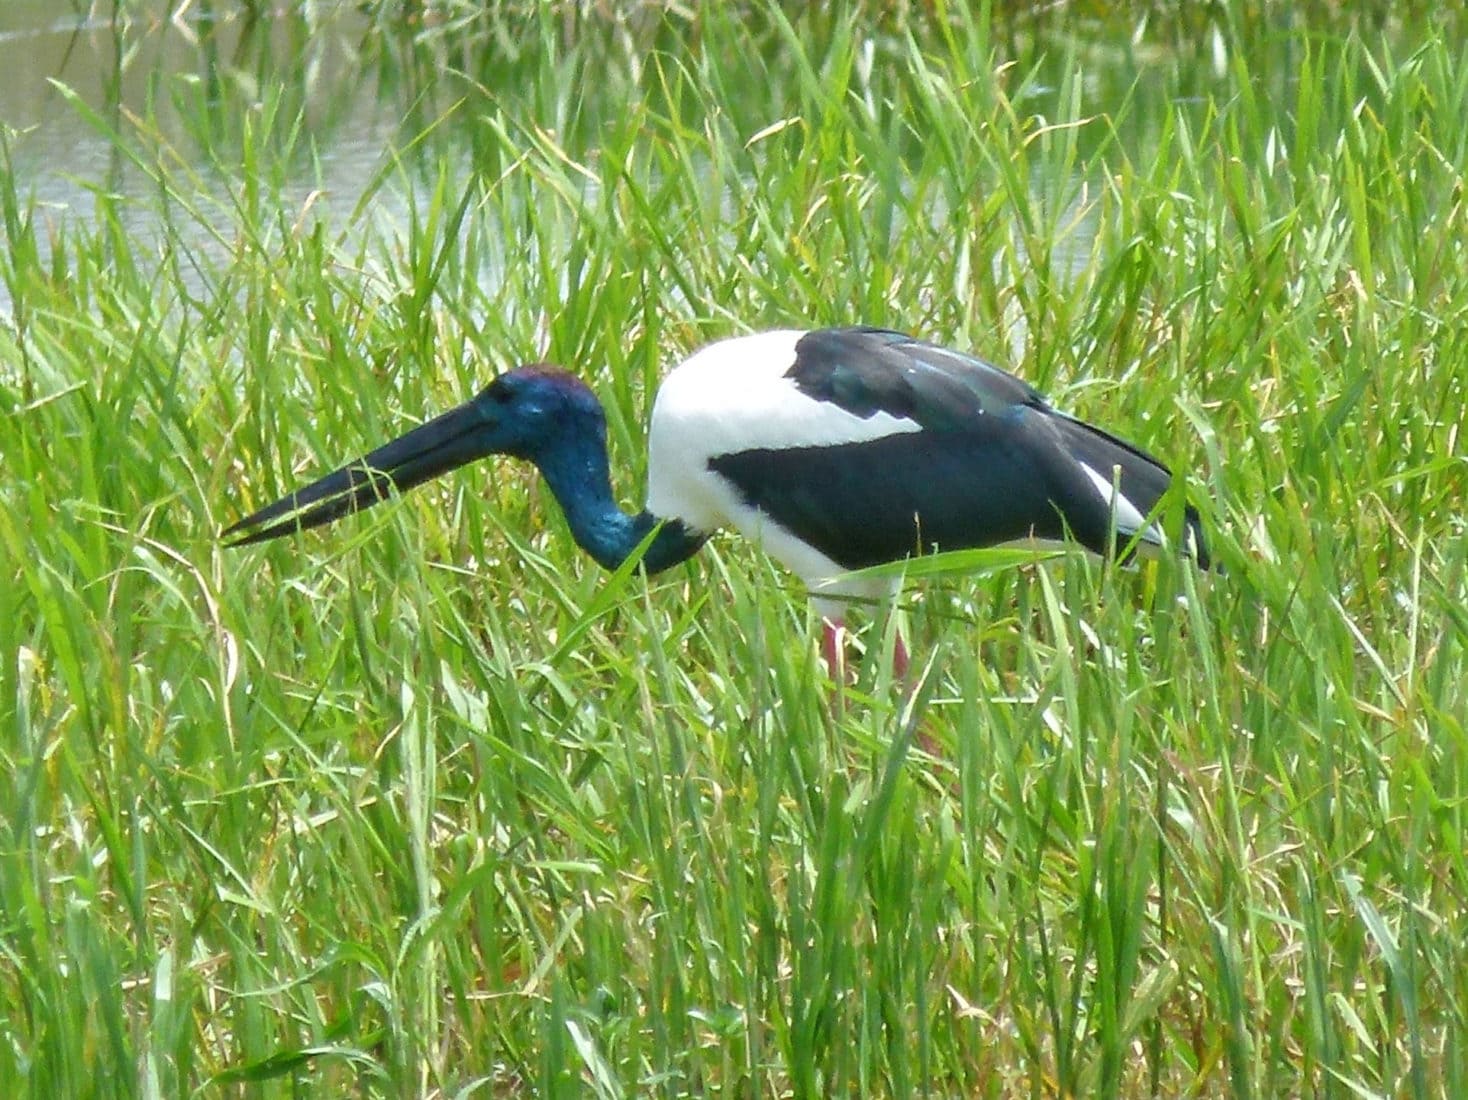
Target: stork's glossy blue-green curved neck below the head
581 482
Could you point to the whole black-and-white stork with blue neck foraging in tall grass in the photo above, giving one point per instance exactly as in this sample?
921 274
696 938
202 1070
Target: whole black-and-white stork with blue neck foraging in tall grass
835 450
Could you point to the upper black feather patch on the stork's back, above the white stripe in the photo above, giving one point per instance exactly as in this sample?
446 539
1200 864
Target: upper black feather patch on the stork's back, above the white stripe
868 371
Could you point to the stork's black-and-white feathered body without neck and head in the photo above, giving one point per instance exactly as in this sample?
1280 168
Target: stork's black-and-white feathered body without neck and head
845 449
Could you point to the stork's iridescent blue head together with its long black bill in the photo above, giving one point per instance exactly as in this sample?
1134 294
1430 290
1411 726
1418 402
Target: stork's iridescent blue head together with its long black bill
535 413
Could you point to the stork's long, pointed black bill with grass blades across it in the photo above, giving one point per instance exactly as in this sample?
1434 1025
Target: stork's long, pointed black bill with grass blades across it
444 444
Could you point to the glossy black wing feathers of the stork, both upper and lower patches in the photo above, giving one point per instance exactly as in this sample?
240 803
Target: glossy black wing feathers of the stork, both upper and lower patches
990 462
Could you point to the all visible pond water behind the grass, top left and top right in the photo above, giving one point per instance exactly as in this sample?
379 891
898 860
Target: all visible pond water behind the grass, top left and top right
192 77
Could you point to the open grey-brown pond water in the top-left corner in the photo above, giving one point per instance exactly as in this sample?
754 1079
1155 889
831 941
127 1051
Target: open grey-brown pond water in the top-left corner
197 79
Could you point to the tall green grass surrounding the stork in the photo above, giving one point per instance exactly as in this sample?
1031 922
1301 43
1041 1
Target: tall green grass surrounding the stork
431 806
